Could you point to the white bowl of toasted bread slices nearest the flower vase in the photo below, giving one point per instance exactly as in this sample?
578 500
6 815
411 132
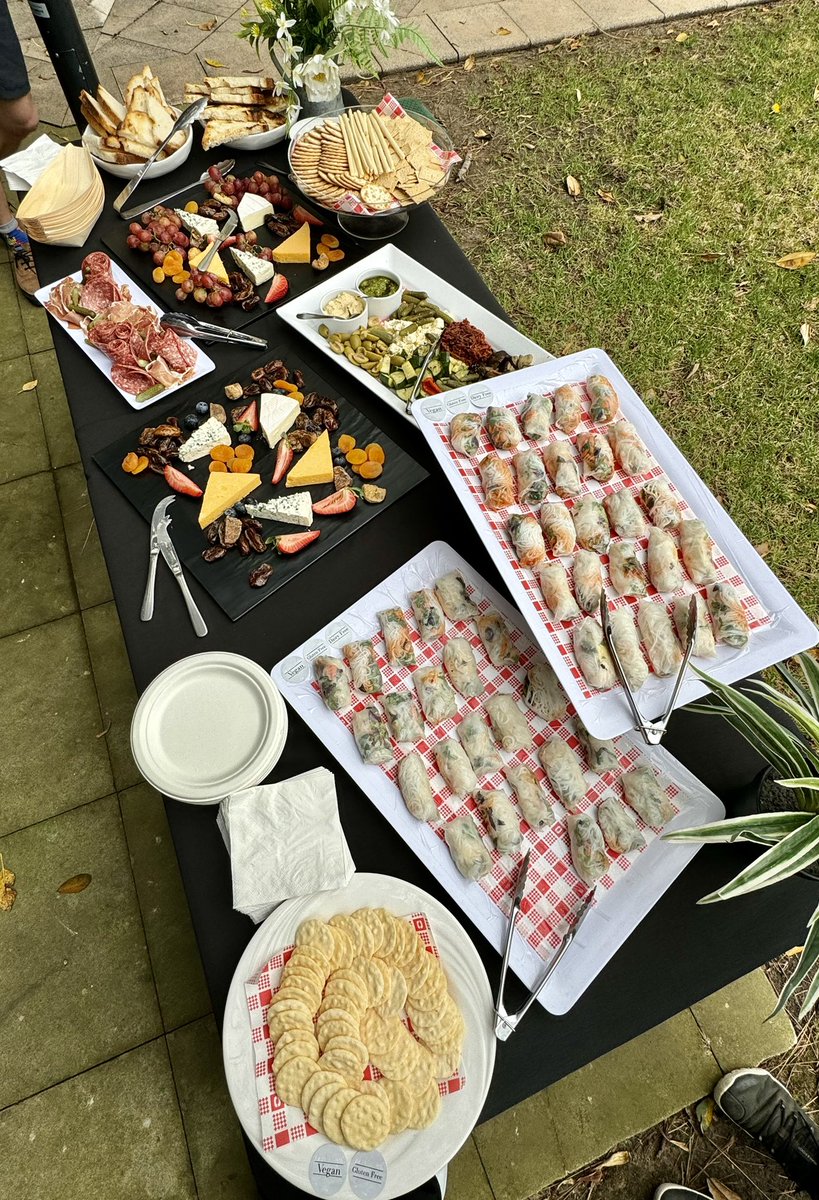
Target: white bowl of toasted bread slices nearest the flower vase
244 112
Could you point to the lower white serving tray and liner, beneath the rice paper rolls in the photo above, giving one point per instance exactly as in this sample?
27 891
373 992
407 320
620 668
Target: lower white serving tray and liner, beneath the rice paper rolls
554 891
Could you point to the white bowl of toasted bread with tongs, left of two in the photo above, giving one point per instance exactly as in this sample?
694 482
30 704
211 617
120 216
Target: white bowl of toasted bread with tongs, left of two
123 135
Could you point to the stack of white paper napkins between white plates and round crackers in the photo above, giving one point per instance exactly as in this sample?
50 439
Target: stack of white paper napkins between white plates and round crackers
285 841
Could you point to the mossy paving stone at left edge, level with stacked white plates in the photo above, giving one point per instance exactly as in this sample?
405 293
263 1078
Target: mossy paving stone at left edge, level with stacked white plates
51 757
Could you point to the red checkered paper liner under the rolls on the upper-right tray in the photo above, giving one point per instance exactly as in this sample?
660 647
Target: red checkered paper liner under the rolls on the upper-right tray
561 633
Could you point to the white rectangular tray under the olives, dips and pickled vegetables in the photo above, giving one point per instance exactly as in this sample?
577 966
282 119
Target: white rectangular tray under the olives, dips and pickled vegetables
501 334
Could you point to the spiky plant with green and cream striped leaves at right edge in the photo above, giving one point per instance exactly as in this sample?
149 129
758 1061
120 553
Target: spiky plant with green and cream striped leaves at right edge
787 821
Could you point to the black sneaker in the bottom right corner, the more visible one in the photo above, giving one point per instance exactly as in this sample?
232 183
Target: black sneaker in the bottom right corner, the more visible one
767 1111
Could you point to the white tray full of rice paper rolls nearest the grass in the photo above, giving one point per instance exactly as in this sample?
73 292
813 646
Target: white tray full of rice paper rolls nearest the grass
679 539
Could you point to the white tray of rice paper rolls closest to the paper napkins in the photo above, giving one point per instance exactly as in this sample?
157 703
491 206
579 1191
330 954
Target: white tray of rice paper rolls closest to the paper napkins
403 689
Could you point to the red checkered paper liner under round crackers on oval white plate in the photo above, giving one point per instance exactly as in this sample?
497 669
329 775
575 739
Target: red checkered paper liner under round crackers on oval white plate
284 1124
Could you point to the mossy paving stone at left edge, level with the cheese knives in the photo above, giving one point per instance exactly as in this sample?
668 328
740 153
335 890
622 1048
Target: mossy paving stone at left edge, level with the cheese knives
35 575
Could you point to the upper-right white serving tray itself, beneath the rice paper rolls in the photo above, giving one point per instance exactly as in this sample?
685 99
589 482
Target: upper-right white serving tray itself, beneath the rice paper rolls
780 628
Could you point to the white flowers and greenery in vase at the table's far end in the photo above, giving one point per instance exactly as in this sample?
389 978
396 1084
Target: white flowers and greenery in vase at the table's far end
308 41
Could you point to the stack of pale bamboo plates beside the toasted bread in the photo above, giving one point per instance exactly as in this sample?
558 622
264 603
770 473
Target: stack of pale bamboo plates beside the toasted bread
67 201
